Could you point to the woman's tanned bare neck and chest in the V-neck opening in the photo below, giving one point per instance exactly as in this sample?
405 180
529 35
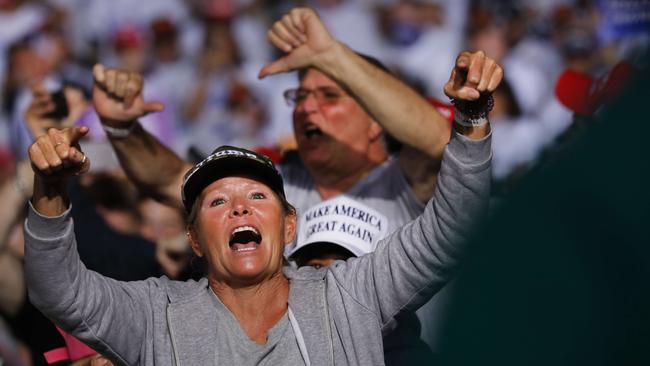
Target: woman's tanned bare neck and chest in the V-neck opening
257 308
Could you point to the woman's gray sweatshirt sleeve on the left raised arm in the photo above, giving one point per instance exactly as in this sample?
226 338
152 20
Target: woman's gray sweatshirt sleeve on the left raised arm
96 309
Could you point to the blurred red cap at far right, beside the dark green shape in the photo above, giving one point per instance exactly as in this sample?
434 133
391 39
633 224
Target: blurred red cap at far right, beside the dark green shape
584 94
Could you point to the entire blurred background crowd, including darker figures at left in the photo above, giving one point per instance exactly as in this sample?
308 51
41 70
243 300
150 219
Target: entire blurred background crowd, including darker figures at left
201 58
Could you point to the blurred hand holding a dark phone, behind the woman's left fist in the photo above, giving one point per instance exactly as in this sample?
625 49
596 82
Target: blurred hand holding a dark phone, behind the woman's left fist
36 115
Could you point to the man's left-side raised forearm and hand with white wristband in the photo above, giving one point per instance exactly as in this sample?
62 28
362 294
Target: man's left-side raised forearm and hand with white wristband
118 101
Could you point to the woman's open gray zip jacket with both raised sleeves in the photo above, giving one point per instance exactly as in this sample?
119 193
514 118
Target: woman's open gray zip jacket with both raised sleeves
338 313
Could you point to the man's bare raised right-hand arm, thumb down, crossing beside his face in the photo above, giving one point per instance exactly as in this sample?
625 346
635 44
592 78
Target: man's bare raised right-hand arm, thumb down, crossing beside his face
399 109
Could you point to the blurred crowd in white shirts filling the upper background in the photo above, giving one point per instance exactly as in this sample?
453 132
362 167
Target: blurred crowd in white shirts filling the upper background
201 59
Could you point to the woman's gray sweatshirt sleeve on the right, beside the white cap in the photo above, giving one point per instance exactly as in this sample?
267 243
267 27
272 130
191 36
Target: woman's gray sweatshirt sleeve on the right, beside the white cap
414 262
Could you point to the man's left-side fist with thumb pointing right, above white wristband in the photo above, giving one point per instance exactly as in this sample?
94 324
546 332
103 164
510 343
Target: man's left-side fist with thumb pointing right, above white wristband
117 96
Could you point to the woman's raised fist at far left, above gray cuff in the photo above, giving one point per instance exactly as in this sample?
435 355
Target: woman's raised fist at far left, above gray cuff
56 155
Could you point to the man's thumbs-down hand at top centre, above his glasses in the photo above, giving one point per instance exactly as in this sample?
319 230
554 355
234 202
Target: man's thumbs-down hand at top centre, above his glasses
303 36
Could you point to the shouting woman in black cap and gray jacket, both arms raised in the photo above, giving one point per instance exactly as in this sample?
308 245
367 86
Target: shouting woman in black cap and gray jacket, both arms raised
251 308
